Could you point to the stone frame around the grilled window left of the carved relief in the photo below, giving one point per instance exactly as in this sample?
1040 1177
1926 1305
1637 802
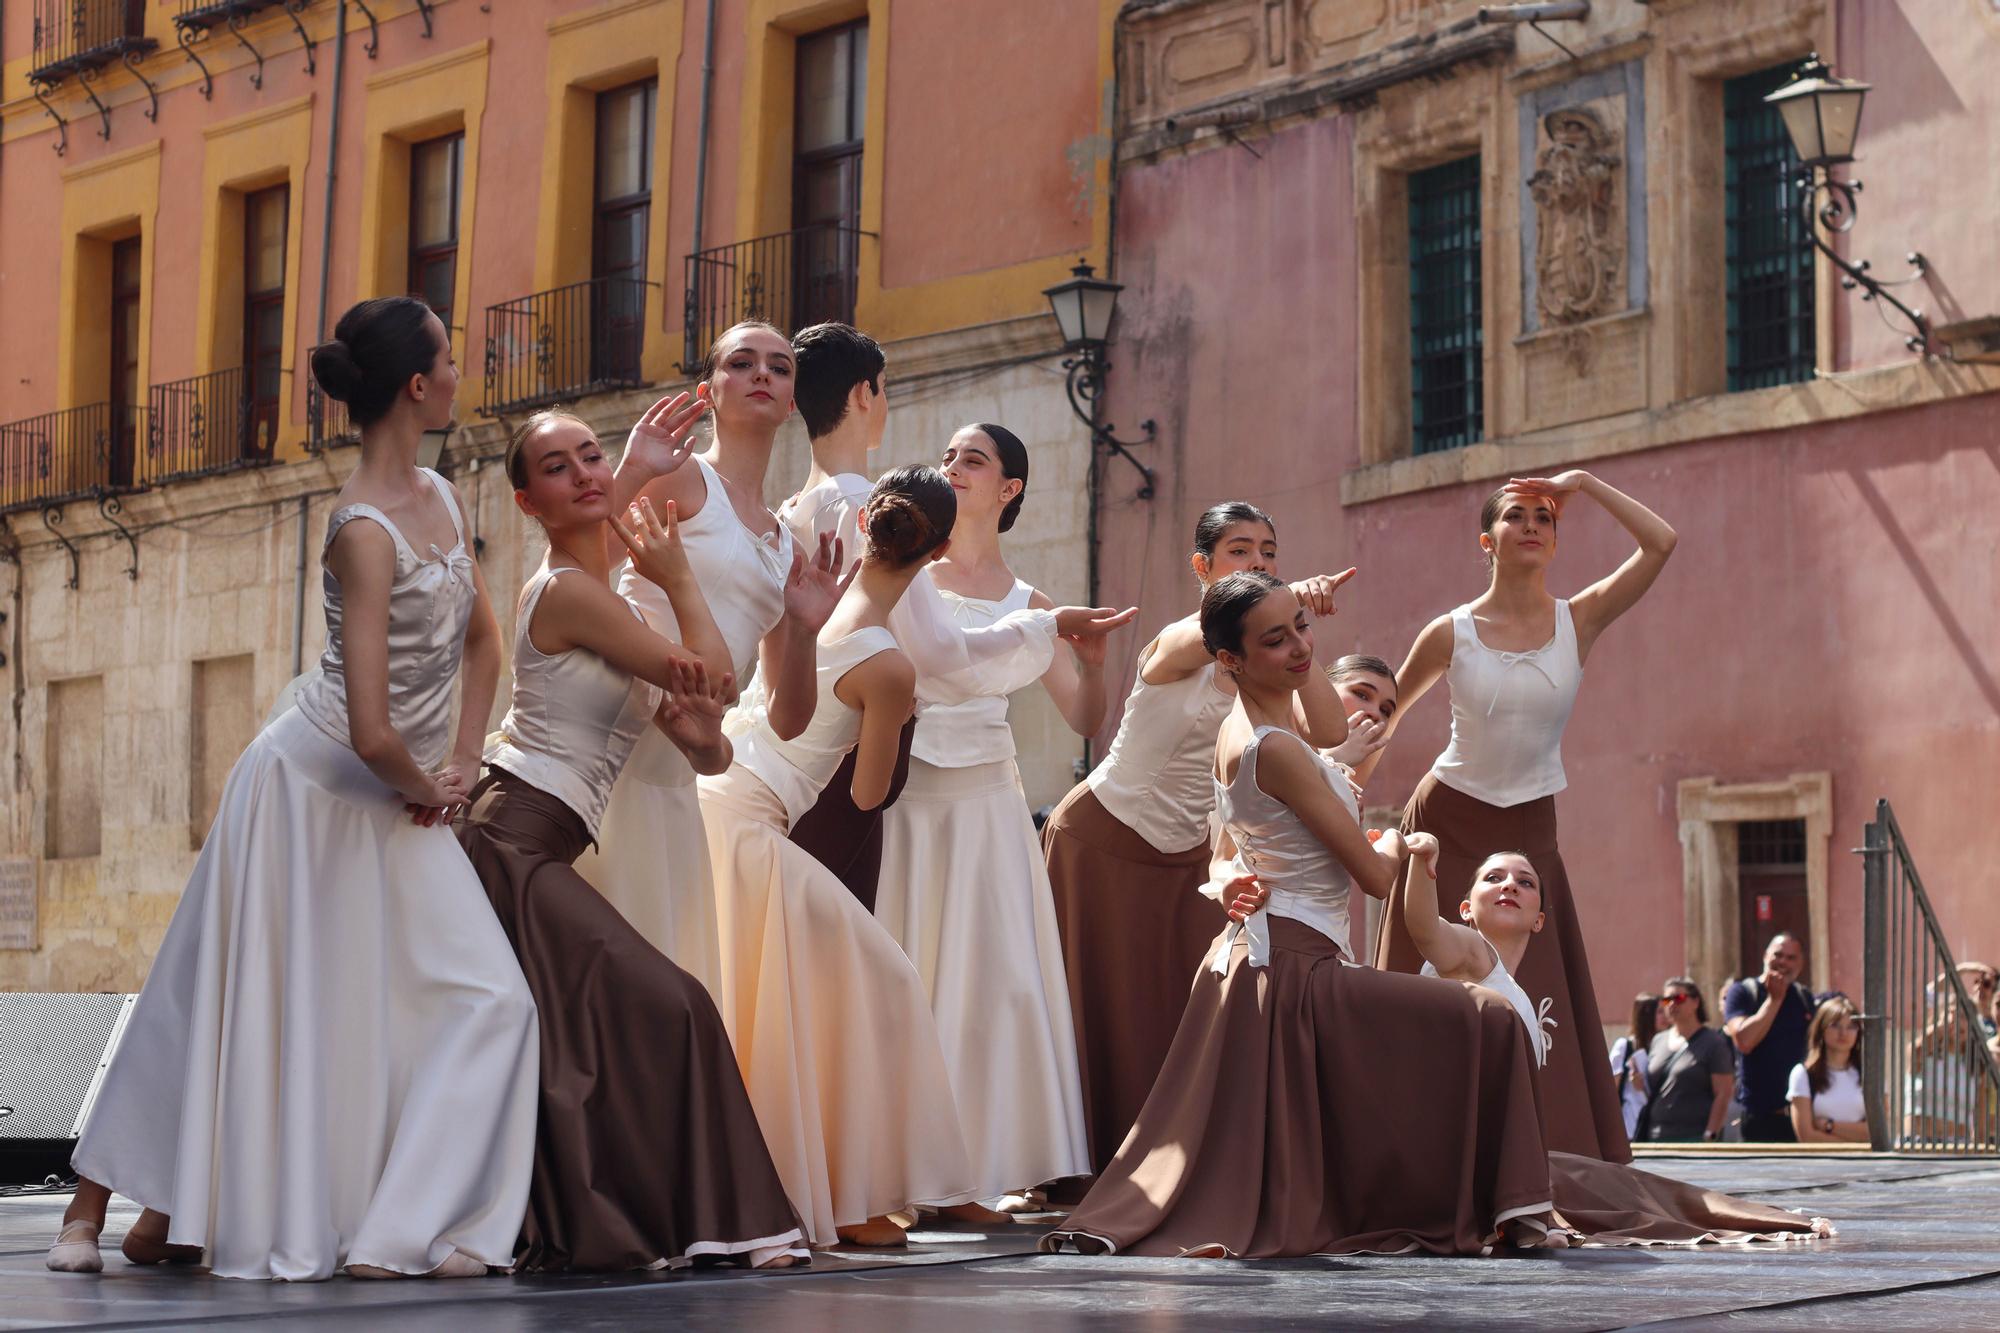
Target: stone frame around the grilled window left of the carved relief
1409 129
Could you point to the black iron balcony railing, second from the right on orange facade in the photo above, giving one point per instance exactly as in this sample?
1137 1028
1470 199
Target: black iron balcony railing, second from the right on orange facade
571 341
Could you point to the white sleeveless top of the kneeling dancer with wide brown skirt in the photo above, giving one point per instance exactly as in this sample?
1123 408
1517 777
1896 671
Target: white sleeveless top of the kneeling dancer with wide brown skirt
1307 882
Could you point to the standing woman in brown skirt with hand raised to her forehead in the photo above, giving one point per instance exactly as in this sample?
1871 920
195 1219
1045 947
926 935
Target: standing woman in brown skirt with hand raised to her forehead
1515 659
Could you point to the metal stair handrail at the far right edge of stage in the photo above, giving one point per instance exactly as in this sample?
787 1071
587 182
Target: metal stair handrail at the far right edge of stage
1933 1084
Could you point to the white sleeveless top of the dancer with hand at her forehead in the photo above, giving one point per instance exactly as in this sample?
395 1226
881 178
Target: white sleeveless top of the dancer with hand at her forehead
1509 712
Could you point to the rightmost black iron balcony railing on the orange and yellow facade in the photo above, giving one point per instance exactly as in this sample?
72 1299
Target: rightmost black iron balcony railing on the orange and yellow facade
791 279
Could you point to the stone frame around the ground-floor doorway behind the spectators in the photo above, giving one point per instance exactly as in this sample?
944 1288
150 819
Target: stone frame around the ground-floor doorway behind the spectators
1711 896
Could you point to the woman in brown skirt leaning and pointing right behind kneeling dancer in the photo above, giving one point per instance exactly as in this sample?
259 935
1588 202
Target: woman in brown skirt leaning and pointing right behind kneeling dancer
1129 848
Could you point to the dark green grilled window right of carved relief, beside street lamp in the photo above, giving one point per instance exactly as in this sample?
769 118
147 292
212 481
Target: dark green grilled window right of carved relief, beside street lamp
1771 329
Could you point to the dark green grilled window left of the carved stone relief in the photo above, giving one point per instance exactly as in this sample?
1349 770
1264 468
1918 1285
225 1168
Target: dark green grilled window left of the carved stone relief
1447 343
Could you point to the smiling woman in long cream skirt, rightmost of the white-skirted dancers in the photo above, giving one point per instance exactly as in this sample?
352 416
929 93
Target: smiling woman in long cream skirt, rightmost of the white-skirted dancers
963 886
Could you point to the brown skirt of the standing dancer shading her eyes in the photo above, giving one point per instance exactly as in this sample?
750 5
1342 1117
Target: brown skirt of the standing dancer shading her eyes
1581 1098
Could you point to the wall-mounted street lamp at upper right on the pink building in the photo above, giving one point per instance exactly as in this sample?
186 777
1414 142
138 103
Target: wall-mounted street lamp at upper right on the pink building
1823 115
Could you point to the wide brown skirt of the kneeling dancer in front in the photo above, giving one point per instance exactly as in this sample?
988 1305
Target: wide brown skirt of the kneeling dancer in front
1311 1108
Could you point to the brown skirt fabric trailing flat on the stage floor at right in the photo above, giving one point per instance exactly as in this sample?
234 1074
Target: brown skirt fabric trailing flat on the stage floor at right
1621 1206
